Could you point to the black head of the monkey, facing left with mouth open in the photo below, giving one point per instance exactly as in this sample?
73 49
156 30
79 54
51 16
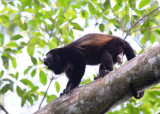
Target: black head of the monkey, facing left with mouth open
55 61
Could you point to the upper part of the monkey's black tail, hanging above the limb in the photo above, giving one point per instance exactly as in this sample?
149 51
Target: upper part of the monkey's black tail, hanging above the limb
128 50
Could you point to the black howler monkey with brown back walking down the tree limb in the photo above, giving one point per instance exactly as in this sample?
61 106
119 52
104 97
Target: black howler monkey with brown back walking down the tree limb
91 49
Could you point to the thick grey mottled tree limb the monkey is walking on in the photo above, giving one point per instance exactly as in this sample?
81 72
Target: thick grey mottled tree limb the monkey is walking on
104 94
